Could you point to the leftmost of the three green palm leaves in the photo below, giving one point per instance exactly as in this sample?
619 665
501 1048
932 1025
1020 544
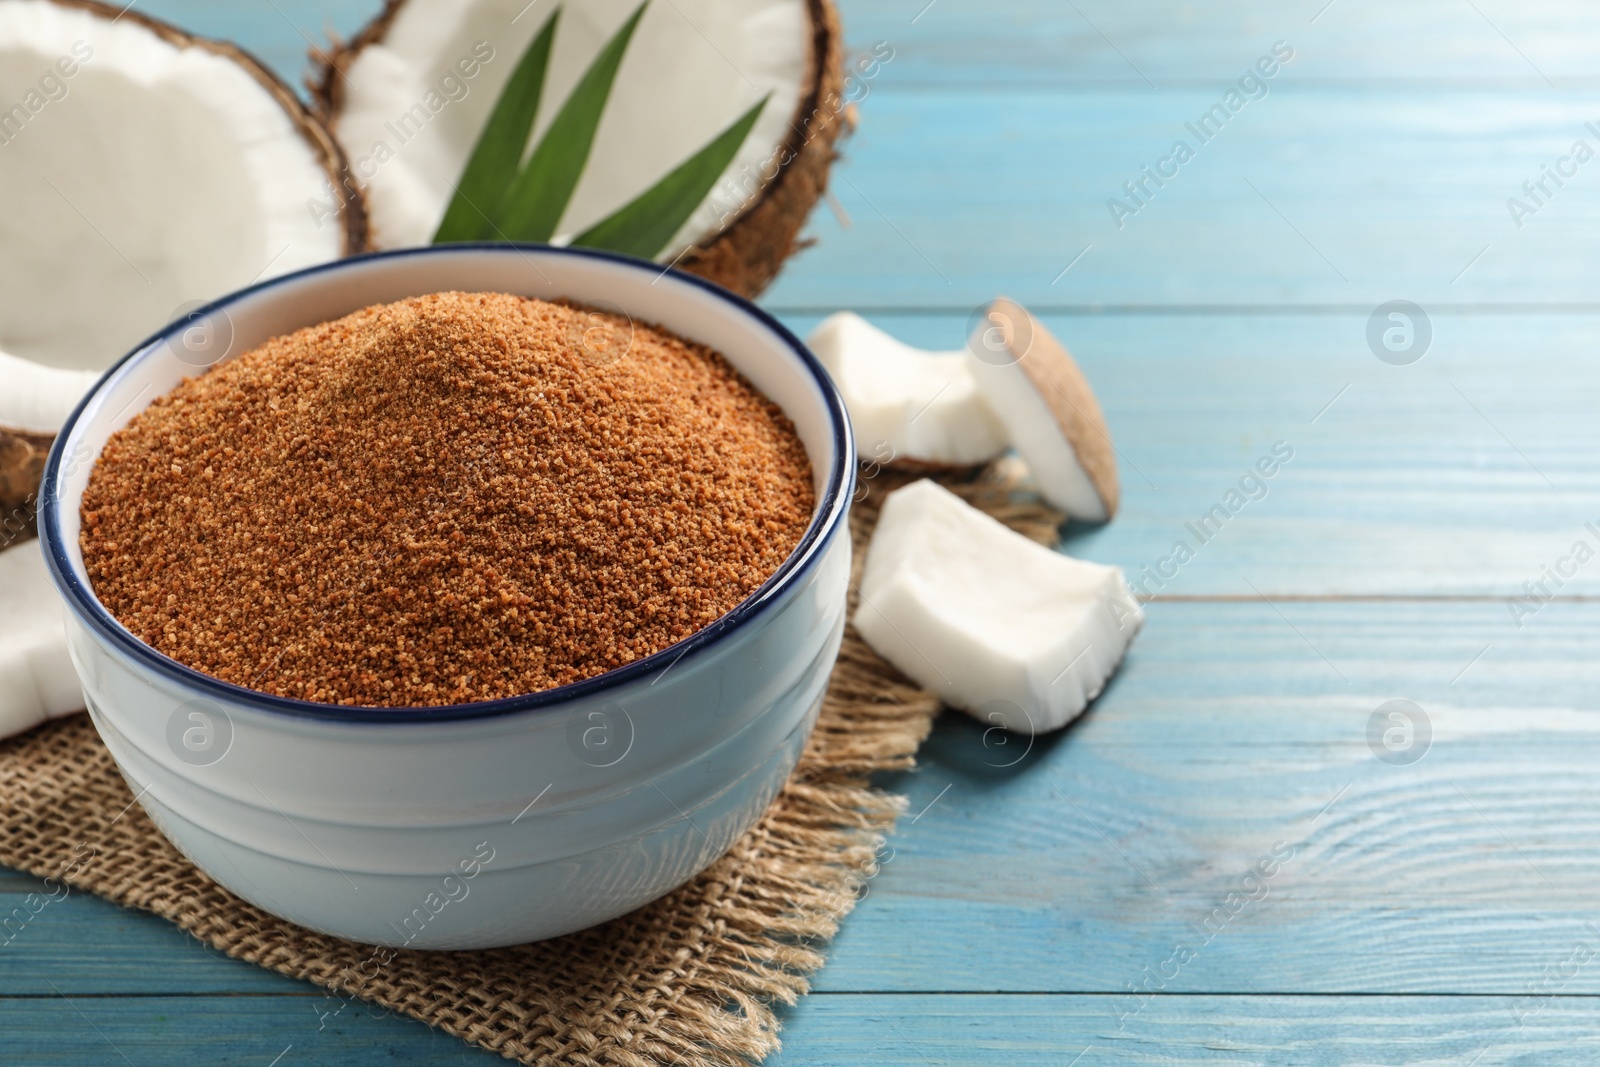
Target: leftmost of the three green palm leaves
498 153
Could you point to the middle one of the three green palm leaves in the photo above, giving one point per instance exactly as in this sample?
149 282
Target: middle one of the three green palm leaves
538 196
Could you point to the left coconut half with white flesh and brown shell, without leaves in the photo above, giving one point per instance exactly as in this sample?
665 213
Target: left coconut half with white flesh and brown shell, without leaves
143 172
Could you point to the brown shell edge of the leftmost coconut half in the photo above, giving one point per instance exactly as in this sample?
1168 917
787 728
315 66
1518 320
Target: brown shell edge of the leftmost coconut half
23 454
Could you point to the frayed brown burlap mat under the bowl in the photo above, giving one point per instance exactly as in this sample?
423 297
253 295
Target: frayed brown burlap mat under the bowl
689 981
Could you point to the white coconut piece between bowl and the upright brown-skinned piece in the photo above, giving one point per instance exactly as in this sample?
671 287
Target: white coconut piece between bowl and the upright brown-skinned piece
910 409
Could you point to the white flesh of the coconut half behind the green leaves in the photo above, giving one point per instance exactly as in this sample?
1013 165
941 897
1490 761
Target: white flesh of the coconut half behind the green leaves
410 114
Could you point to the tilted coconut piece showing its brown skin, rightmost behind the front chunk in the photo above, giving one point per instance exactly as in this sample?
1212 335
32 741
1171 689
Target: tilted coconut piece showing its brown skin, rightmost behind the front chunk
1041 396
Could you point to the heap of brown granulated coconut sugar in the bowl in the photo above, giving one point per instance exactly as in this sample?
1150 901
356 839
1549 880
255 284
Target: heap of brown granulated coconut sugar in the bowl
444 500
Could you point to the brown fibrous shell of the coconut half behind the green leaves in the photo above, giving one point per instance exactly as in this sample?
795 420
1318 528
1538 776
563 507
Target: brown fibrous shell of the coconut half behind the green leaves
750 252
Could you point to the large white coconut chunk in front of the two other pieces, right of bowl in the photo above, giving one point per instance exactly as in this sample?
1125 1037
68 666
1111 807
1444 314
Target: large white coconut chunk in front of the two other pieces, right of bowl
1002 628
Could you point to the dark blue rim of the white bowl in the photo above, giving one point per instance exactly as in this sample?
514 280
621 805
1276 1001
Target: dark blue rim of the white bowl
831 514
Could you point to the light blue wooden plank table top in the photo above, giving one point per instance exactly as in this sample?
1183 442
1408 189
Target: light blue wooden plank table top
1095 901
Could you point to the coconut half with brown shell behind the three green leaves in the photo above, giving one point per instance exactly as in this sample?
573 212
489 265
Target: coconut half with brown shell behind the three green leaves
410 95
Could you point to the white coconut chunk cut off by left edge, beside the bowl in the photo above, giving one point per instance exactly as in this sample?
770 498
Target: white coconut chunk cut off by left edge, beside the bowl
38 679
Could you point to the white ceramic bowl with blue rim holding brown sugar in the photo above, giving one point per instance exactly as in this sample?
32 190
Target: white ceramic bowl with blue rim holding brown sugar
479 825
